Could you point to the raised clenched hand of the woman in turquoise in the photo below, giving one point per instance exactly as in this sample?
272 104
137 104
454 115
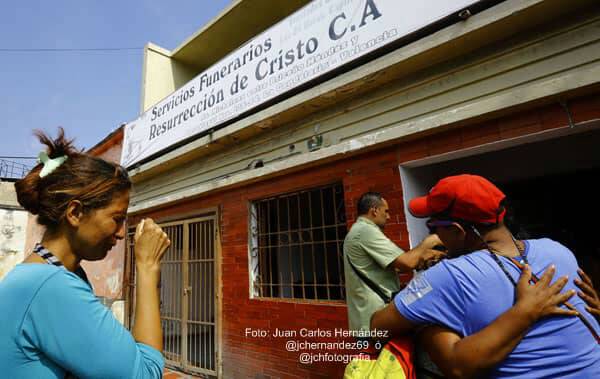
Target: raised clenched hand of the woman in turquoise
150 245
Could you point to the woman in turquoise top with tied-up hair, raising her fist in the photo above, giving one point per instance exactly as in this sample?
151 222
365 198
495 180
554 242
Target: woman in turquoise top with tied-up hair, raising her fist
51 324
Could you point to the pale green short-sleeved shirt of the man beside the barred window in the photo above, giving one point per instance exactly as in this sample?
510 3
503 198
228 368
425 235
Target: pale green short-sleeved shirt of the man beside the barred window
371 252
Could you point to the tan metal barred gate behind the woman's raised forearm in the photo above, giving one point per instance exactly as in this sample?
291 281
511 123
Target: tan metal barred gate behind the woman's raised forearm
187 295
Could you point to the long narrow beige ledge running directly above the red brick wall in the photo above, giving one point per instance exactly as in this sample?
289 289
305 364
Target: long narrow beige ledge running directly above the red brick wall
515 97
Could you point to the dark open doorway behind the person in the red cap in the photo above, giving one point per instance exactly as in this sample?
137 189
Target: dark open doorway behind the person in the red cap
550 183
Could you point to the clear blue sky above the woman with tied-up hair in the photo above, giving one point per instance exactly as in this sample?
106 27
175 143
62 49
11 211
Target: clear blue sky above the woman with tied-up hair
88 93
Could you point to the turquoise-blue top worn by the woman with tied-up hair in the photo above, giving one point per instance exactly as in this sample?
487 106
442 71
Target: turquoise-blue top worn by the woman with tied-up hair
51 323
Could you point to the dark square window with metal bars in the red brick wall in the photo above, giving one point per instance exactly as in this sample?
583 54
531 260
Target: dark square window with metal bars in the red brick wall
296 244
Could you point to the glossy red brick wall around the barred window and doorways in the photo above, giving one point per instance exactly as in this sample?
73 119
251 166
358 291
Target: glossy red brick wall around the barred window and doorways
378 170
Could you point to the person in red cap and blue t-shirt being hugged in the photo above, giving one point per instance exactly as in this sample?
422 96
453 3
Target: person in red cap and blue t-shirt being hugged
484 310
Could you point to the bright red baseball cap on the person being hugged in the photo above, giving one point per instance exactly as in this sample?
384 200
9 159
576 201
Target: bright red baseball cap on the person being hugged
464 197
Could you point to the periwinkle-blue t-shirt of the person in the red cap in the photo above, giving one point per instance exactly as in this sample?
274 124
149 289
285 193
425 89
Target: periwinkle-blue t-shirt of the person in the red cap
468 293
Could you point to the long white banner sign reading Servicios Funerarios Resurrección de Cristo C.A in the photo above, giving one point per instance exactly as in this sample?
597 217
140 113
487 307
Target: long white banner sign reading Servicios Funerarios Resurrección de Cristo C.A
315 40
